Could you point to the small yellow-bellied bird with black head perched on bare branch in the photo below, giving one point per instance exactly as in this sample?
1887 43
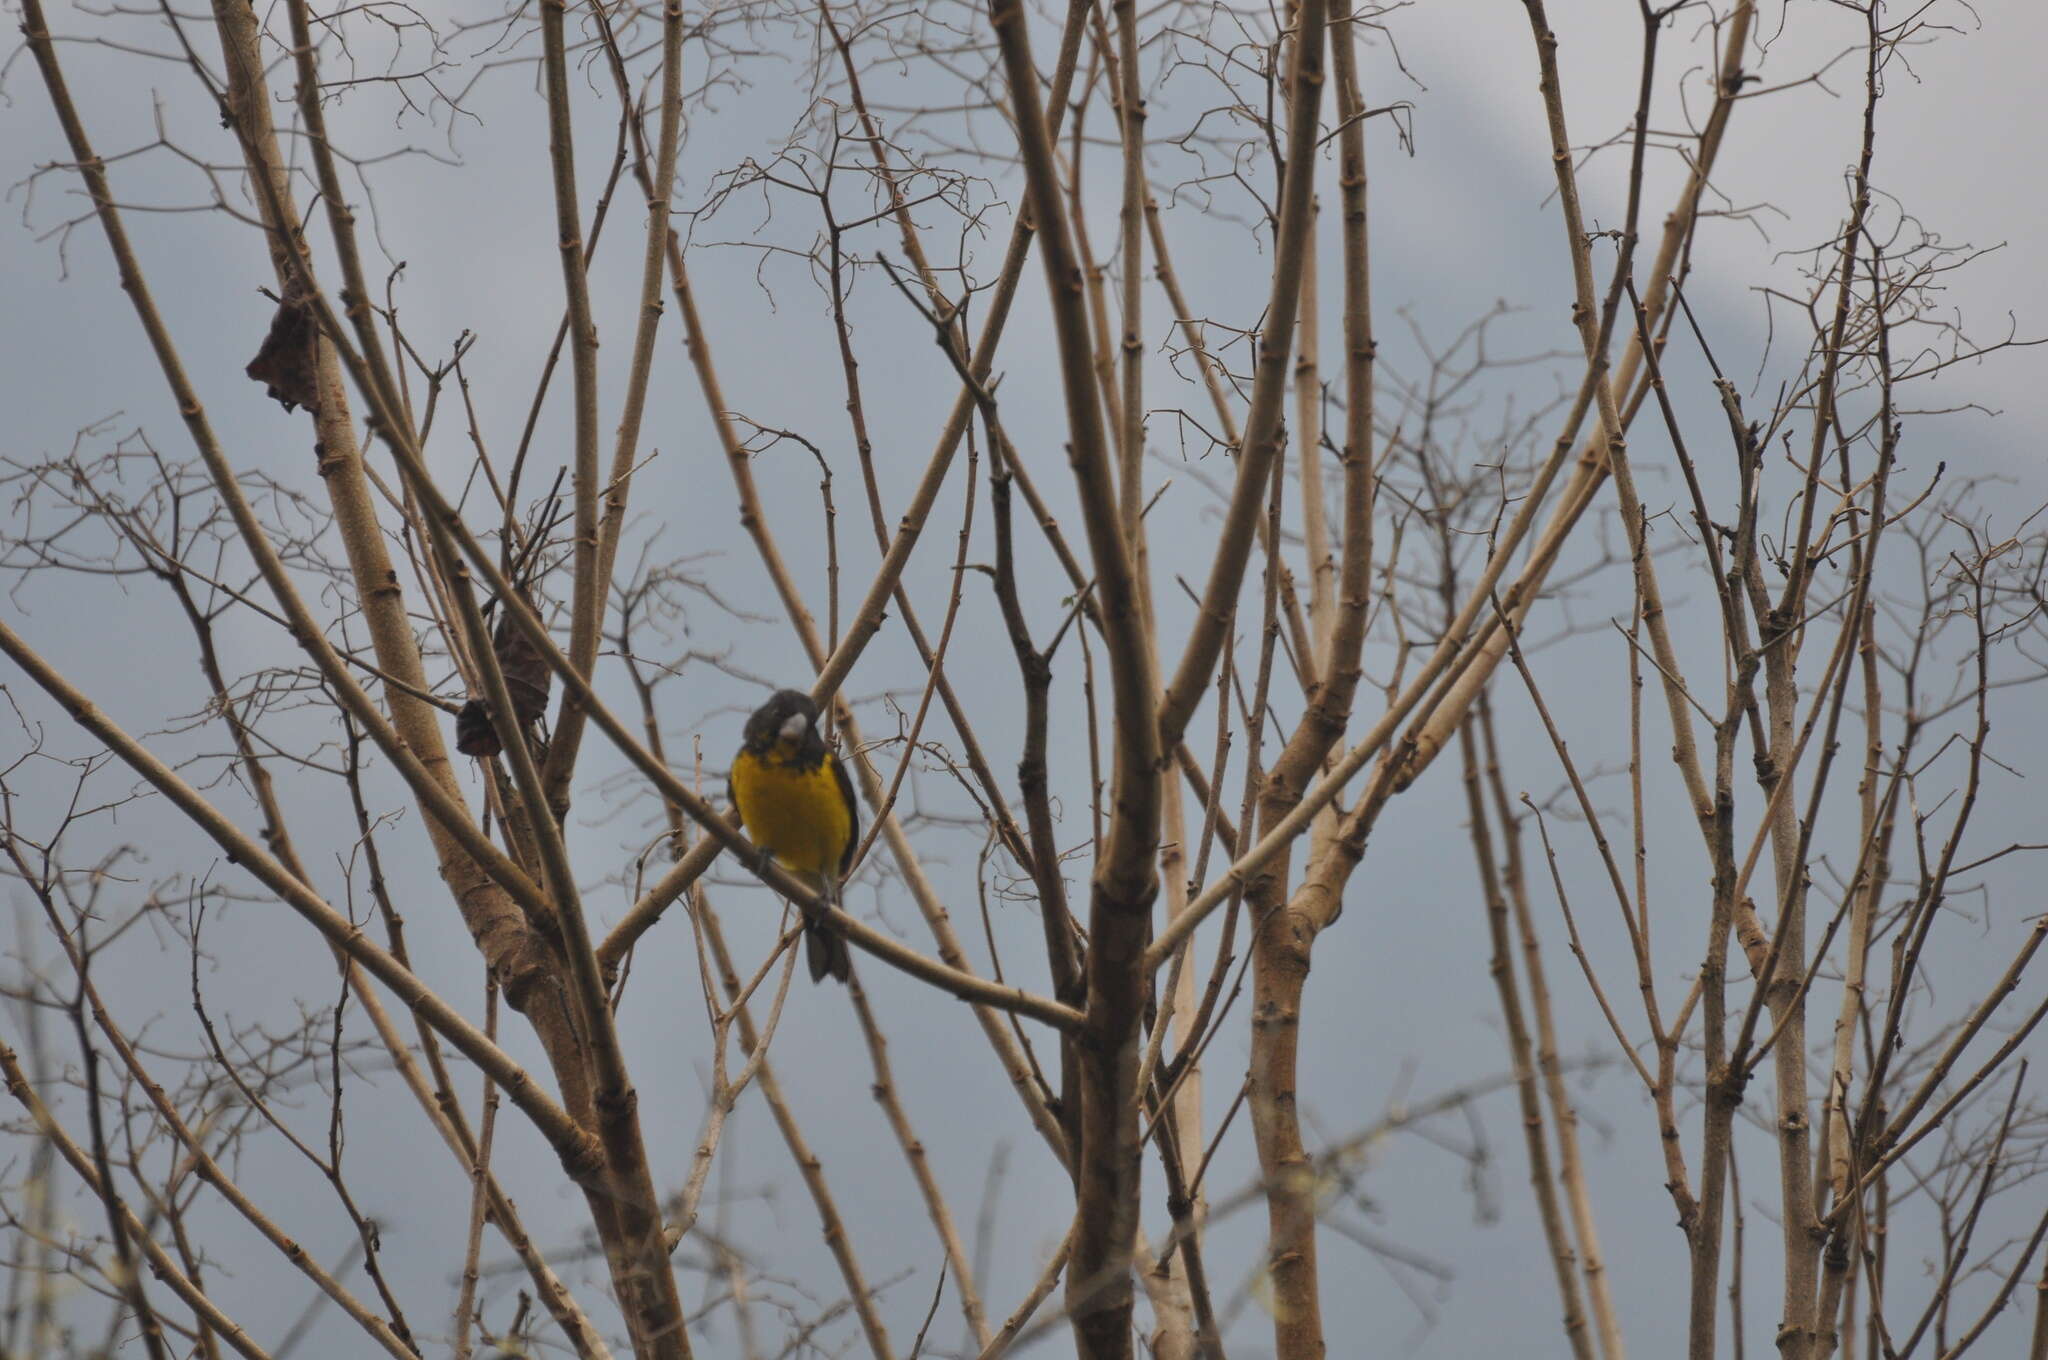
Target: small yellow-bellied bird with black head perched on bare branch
800 808
